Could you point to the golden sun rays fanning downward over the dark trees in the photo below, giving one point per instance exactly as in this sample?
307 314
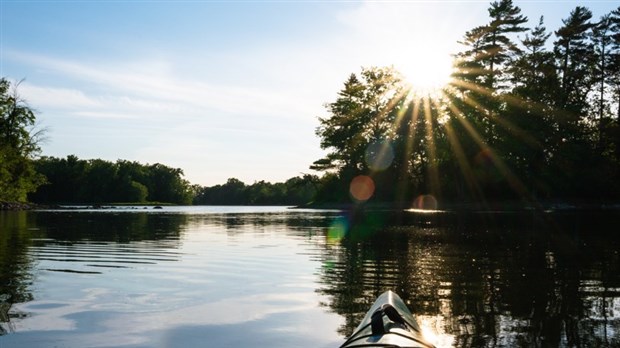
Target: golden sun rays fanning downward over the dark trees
434 112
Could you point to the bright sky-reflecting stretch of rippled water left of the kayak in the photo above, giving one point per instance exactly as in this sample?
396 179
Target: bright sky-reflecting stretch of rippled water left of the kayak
166 279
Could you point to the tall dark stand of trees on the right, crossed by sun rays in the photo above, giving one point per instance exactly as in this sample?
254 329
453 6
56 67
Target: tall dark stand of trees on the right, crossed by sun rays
523 118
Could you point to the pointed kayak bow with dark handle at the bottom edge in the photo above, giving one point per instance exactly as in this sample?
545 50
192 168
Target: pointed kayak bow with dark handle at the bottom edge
388 323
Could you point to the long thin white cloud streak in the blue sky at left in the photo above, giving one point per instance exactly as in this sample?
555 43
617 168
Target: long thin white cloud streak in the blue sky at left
154 90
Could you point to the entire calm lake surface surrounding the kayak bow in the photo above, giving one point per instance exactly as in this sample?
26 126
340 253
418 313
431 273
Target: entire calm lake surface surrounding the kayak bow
274 277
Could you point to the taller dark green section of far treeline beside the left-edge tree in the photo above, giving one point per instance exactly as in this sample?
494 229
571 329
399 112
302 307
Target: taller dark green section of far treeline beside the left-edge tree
73 180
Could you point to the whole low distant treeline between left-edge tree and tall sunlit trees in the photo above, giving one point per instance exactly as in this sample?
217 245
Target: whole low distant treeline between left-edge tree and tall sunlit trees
73 181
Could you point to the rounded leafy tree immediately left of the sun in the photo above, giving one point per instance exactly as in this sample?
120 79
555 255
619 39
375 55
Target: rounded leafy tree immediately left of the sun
362 126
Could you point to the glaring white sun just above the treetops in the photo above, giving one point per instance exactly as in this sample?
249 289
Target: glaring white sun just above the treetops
426 73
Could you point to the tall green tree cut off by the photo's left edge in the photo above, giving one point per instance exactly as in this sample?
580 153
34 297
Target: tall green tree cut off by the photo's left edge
18 145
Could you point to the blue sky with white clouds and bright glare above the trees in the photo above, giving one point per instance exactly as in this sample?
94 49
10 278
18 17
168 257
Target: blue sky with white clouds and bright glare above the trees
220 89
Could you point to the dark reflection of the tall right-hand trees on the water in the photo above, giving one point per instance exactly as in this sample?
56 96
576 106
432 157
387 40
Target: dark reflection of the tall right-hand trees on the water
487 280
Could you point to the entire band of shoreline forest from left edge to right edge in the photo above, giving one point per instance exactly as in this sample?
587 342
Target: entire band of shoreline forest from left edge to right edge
529 115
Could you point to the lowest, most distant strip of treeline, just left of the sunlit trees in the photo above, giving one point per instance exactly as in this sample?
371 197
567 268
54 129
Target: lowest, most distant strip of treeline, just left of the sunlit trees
294 191
